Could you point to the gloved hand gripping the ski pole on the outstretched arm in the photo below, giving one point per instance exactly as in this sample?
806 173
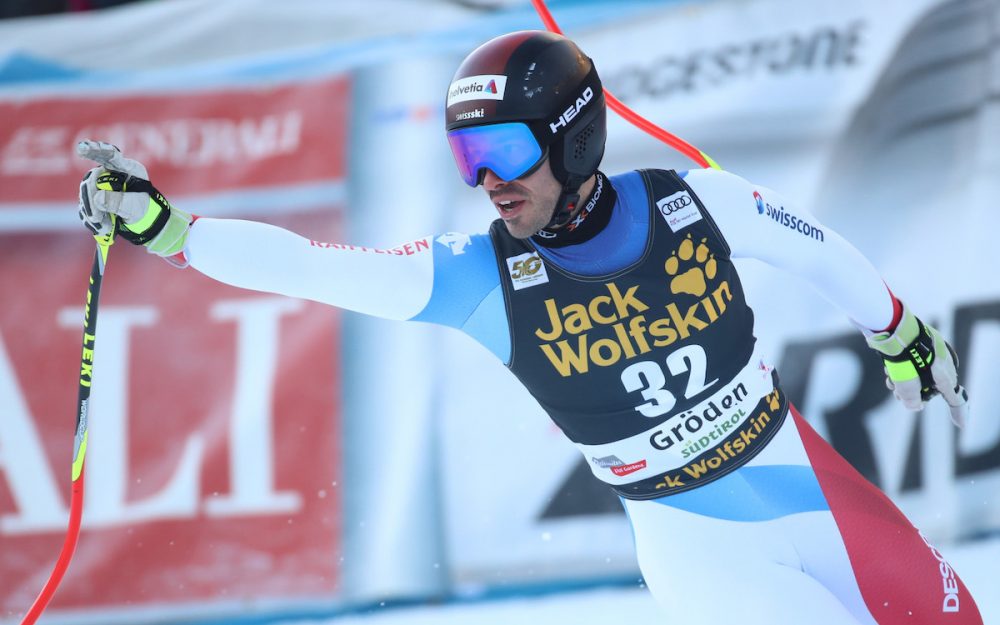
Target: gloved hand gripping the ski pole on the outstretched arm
120 187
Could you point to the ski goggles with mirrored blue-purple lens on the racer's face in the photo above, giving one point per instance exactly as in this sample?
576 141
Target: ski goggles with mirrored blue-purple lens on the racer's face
509 150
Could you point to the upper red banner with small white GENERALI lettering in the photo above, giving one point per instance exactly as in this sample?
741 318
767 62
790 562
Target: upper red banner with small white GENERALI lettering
191 143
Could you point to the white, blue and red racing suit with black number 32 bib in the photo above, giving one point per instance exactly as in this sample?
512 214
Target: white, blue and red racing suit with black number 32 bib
632 332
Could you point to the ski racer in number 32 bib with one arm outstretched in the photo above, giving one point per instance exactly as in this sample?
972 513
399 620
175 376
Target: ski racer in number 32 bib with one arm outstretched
615 301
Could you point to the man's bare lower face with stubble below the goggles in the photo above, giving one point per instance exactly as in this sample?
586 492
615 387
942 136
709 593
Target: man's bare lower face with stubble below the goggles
525 204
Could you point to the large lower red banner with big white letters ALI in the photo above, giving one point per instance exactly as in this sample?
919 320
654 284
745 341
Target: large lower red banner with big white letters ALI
212 471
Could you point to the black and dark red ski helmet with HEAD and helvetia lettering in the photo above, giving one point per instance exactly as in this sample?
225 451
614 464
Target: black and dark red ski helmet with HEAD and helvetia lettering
546 82
